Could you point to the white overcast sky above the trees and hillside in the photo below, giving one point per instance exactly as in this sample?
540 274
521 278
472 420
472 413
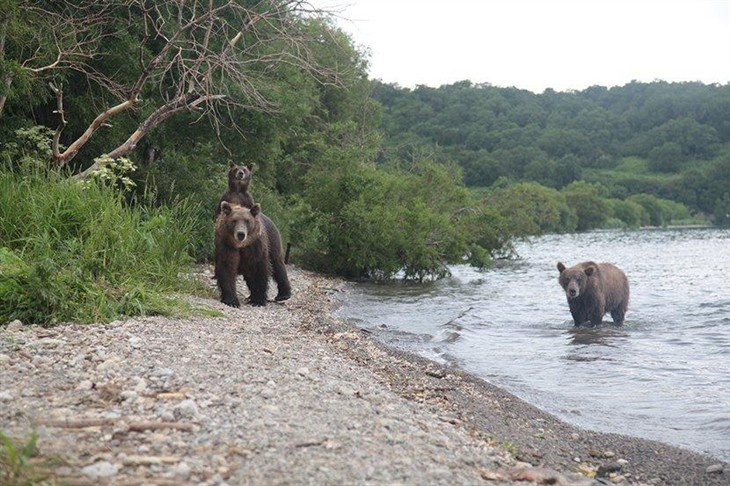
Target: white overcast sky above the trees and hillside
538 44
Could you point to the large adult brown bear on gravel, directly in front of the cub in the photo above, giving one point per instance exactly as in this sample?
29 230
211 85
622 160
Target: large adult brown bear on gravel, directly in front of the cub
248 243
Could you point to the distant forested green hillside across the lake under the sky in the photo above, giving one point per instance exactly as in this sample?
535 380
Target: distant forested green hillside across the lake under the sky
669 140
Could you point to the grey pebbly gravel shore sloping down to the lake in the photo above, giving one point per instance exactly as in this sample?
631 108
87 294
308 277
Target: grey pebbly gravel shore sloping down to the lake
289 394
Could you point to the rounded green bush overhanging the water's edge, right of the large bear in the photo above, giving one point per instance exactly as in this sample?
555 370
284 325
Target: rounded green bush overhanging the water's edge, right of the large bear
360 220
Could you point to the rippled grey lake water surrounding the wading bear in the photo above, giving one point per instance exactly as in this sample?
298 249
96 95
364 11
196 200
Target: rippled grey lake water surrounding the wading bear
664 375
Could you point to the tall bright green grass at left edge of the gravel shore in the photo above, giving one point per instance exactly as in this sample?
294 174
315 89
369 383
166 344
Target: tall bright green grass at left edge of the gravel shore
80 252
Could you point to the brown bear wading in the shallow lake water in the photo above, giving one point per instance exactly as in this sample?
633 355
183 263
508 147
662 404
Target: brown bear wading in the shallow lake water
594 289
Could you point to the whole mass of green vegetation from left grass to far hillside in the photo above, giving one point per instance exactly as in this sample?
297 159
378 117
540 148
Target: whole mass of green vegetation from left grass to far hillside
118 121
